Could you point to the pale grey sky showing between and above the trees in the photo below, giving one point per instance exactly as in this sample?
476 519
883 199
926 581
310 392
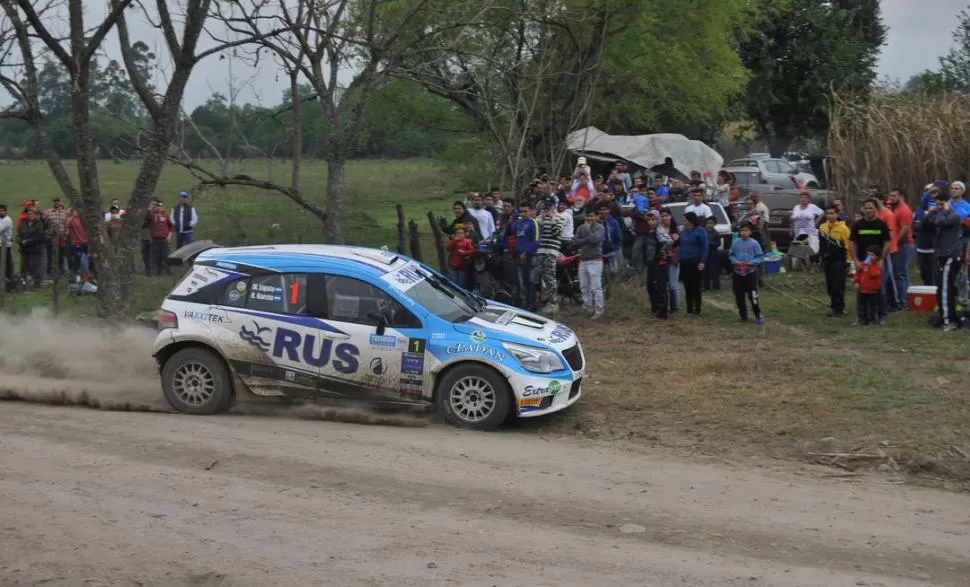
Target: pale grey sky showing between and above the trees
919 32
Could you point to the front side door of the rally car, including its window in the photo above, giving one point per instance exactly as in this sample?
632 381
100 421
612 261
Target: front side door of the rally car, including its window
387 357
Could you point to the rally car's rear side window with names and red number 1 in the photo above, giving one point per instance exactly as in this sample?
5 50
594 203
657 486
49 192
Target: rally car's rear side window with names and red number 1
278 293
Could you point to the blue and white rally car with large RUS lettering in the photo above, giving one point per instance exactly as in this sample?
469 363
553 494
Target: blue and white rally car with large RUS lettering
318 322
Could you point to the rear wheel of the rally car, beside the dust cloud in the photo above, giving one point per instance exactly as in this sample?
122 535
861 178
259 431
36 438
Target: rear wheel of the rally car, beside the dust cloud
196 381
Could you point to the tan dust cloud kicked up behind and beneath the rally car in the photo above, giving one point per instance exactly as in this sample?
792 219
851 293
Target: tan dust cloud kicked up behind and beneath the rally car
108 366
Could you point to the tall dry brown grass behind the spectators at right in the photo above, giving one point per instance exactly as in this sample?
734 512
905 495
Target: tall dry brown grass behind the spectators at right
897 140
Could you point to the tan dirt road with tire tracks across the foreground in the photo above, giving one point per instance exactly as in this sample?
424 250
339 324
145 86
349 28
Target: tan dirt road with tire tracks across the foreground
92 497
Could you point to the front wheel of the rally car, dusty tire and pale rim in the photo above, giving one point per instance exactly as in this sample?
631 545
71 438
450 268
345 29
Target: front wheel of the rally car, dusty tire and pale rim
474 396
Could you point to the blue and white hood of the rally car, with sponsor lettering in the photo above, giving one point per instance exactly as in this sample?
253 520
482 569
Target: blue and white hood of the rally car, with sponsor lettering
509 324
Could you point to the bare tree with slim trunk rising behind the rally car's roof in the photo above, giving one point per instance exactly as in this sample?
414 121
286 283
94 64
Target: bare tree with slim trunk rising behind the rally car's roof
363 40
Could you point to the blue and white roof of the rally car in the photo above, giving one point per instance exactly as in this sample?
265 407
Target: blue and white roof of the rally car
310 258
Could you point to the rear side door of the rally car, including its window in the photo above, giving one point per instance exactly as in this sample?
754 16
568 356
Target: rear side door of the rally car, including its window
270 339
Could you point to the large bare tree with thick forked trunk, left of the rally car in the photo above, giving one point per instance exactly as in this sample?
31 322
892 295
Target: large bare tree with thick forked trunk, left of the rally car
182 33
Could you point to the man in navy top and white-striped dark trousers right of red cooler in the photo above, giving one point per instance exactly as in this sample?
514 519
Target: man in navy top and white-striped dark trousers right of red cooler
947 231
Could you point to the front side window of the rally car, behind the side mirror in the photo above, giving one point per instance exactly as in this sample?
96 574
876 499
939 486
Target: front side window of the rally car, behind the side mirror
358 302
